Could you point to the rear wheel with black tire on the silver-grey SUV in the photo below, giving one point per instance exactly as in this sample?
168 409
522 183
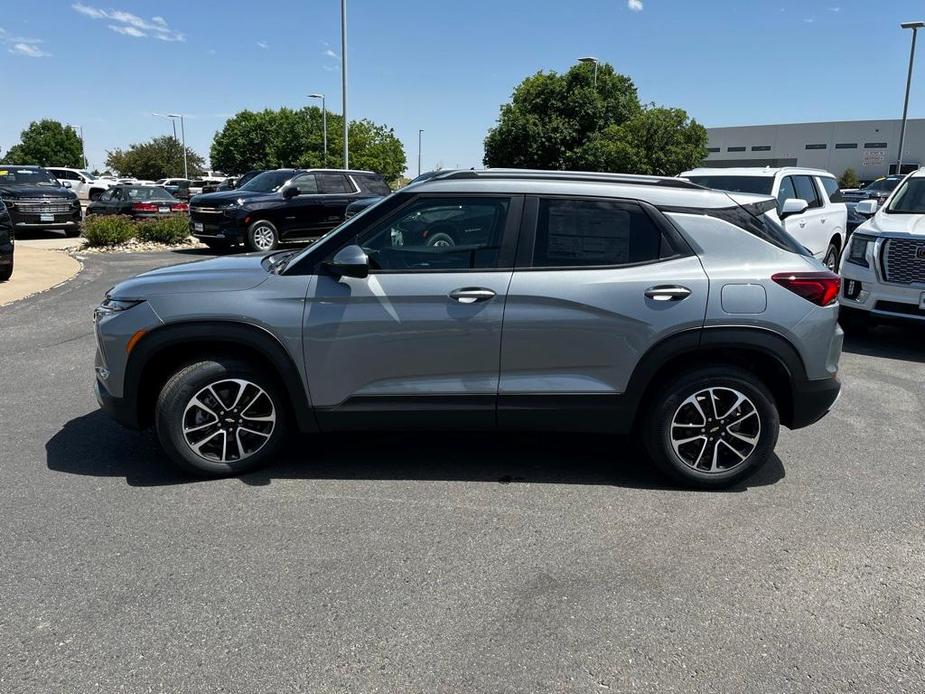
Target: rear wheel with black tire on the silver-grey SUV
728 382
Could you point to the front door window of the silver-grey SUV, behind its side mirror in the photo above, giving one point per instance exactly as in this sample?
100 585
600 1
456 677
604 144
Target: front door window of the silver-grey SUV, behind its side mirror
439 234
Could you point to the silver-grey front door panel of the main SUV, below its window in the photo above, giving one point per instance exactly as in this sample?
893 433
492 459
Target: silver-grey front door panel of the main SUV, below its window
403 335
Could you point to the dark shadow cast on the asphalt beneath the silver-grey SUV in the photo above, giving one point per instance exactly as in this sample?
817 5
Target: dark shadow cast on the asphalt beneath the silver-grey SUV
94 445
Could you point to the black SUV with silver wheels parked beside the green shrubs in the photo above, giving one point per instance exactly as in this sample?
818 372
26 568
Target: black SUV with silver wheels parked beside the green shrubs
281 205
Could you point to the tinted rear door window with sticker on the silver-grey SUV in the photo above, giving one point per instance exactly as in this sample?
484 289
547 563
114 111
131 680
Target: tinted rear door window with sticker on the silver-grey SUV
593 233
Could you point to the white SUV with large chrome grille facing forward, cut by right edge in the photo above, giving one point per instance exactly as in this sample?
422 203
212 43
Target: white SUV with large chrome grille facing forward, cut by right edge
884 266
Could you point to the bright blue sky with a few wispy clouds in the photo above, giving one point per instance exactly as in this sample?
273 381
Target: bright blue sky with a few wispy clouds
441 65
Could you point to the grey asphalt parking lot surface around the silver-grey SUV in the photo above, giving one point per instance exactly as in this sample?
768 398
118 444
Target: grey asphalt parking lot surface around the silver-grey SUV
448 563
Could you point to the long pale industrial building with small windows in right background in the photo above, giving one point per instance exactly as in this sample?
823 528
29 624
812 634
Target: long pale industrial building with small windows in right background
870 147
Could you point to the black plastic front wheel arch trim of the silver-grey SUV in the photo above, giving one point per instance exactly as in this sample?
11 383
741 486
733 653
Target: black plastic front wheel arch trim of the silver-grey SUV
161 352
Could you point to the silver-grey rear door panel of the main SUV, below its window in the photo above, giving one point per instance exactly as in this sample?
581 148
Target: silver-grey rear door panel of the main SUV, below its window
583 331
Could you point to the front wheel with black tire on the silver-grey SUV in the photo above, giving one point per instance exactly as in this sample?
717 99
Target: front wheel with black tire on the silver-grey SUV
176 415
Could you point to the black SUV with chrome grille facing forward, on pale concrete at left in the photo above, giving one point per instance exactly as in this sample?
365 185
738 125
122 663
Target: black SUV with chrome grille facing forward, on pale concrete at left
37 201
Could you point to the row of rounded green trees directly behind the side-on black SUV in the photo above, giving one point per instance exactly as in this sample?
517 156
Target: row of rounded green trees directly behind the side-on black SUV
273 139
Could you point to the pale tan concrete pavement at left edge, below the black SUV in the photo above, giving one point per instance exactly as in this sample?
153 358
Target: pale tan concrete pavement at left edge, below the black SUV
37 267
